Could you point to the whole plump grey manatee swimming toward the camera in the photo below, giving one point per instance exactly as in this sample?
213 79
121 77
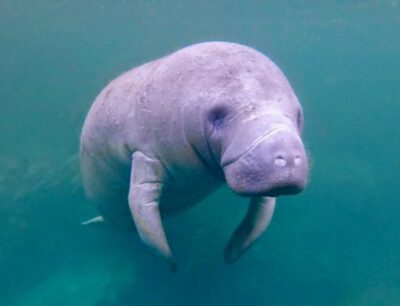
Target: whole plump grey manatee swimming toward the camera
164 135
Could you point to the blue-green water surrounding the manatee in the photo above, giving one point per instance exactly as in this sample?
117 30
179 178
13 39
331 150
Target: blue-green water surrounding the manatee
338 243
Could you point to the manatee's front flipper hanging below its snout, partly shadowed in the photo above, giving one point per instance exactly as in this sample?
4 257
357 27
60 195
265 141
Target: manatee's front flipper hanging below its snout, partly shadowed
257 219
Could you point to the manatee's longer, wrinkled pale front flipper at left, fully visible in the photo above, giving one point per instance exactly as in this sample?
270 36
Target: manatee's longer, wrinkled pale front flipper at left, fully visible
146 184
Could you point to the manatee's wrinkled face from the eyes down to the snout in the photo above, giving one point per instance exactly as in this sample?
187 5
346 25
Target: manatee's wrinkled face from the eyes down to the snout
258 146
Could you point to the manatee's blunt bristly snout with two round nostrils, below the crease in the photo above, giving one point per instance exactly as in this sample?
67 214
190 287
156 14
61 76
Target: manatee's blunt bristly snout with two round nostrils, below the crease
275 165
